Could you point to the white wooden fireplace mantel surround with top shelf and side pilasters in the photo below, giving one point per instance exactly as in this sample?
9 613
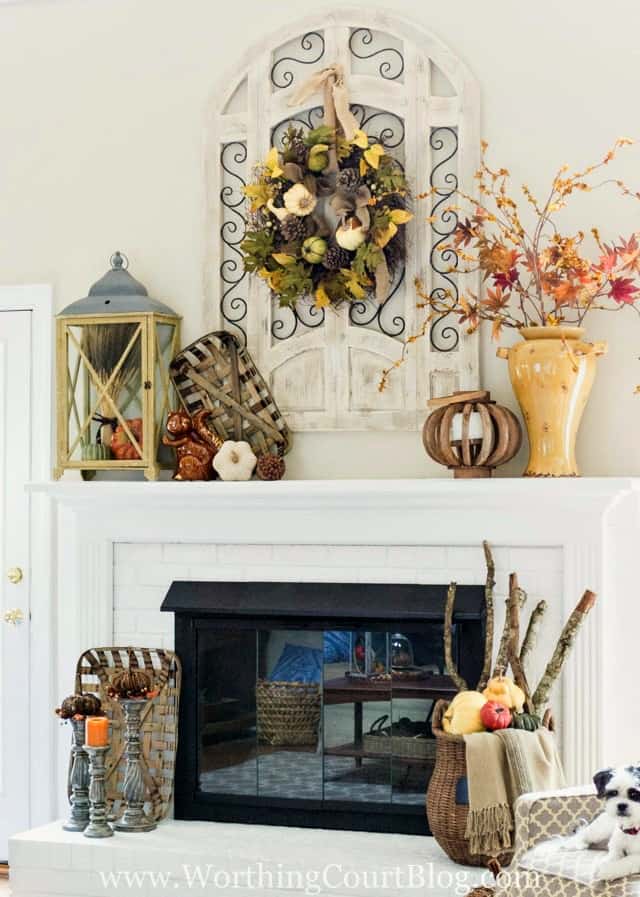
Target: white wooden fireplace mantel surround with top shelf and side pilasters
593 522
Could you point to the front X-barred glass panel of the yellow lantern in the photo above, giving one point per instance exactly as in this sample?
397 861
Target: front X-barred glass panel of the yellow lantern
105 406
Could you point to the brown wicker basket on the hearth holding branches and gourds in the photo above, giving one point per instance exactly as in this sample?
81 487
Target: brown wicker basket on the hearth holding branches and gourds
447 818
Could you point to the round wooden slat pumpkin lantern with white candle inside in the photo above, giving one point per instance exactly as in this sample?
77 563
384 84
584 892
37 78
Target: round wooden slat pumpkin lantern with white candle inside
470 434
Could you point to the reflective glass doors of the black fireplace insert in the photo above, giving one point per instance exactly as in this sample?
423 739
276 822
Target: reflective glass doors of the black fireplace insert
338 716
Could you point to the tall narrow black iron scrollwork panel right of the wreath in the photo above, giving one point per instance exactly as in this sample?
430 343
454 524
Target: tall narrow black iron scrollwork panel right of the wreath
444 336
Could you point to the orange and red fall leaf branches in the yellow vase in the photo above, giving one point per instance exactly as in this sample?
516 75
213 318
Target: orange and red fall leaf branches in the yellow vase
532 275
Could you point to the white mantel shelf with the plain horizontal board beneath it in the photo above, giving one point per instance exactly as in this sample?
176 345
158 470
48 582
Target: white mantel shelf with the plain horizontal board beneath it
431 511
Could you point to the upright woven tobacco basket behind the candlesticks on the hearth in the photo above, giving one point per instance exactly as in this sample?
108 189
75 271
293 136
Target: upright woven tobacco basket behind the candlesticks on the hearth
95 671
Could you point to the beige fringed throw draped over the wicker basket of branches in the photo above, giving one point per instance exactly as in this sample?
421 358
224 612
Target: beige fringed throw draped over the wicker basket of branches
500 767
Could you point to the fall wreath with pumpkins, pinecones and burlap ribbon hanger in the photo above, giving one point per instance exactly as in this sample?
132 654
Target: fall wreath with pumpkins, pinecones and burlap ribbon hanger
327 209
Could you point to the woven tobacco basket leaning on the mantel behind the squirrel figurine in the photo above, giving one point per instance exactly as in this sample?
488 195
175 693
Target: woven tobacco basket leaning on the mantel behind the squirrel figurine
218 374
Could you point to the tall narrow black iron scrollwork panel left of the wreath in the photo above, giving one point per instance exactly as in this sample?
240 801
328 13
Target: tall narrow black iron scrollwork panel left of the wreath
233 301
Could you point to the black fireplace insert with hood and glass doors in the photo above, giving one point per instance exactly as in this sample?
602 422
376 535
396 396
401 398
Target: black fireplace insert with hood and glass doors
309 704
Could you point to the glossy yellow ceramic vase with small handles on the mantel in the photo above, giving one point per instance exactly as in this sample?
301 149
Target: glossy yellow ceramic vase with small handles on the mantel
552 372
